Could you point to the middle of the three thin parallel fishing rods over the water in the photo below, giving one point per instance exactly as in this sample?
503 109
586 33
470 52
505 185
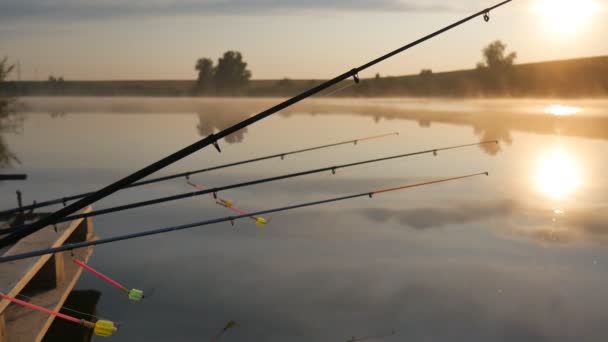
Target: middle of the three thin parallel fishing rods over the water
214 191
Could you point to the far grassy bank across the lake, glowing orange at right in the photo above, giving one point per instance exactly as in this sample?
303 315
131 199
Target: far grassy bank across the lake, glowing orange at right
575 78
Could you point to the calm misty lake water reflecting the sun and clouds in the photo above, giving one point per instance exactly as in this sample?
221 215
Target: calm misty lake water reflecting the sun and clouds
520 255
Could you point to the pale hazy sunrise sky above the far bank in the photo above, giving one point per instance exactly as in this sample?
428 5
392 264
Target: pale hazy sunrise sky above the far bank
305 39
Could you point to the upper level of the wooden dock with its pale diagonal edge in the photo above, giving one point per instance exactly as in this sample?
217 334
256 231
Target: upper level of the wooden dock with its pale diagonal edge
15 275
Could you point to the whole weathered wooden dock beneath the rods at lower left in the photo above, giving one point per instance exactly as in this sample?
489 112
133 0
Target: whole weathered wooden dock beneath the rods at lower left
47 280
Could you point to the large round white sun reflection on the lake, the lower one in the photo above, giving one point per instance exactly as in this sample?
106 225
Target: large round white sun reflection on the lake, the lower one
558 174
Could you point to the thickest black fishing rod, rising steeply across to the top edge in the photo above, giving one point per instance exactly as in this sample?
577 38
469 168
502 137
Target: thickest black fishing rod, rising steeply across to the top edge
214 138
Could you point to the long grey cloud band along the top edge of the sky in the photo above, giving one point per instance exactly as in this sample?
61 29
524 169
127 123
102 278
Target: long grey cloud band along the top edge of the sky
80 9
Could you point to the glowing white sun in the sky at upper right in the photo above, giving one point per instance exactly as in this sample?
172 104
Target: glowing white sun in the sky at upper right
565 16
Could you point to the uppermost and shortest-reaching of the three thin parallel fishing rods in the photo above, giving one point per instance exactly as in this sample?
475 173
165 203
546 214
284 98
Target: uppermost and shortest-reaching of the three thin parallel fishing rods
64 200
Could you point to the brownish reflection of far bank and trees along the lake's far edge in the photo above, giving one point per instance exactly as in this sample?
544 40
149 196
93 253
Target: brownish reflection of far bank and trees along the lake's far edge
490 120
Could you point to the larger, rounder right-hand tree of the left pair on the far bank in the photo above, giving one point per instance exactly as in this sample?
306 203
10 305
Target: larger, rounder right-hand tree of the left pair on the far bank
231 72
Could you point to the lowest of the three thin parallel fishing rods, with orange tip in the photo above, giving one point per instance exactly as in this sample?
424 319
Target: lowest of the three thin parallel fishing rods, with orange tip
231 219
